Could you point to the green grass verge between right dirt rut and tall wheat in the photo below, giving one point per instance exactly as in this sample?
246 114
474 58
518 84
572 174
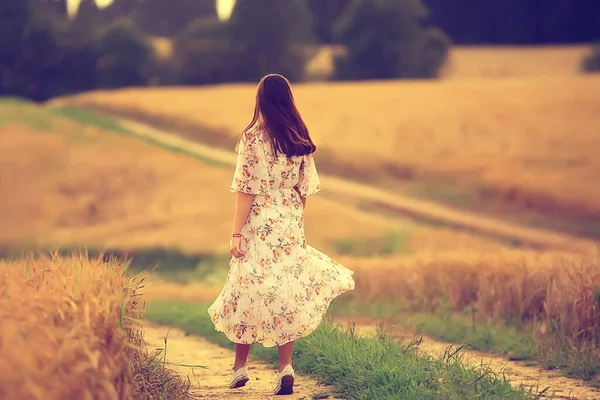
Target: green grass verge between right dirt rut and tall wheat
516 343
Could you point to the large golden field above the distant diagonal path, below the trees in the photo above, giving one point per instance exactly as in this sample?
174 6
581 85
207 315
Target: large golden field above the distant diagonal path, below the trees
529 143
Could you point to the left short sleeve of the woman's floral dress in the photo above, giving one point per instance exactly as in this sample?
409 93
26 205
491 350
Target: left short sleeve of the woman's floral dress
251 174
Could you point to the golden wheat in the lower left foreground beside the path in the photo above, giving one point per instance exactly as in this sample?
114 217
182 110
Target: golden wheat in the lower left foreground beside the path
70 330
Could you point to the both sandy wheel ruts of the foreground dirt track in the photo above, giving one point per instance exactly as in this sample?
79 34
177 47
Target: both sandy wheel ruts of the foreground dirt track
211 382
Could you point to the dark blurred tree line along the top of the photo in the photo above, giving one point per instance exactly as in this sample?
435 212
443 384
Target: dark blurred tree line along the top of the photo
44 53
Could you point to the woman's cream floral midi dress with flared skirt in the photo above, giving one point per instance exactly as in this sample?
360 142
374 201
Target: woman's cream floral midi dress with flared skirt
281 288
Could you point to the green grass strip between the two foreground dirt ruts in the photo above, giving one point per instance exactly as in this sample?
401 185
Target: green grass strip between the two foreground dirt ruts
361 367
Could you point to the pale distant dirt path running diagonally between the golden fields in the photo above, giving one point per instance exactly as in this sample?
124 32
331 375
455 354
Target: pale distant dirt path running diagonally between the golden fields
416 208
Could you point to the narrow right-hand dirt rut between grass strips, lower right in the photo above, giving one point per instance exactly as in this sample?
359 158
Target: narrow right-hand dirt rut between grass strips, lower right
517 373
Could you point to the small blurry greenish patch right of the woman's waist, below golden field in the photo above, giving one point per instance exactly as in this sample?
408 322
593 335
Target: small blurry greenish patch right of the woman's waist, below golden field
395 242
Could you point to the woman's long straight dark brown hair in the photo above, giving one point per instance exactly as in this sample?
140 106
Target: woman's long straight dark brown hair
276 112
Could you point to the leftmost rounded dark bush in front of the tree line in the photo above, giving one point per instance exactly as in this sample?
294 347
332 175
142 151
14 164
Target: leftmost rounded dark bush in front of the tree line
123 55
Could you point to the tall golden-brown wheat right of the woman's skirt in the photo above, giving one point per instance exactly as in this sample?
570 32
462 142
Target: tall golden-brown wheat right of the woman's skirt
556 297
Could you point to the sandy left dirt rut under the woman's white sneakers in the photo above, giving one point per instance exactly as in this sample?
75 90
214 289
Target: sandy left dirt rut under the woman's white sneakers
211 383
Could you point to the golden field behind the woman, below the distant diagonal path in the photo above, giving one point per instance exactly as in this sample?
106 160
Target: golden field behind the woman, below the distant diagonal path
72 183
